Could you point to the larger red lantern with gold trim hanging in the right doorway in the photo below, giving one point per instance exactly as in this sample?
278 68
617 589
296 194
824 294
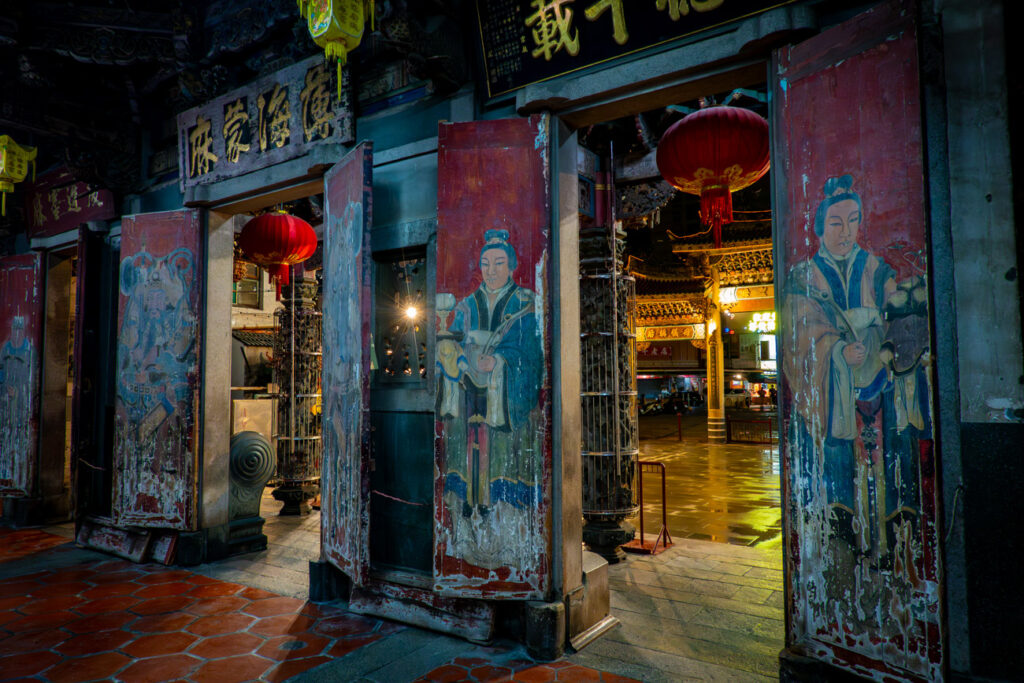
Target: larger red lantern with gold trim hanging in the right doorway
713 153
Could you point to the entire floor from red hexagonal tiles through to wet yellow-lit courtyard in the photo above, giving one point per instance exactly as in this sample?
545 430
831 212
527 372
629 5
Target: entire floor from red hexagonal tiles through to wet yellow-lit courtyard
709 609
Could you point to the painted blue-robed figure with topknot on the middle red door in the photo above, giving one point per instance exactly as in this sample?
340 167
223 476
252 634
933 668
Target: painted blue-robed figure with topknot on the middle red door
490 362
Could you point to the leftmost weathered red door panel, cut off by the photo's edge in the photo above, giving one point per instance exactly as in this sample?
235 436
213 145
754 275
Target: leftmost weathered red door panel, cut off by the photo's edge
21 330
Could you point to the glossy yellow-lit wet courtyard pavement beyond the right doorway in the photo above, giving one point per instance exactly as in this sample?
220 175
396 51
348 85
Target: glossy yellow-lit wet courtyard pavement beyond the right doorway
728 493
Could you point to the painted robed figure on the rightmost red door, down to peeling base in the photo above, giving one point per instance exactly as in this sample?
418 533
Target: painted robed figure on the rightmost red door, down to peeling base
857 365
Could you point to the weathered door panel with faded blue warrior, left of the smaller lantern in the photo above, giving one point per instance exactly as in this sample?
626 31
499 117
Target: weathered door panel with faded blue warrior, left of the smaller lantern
158 370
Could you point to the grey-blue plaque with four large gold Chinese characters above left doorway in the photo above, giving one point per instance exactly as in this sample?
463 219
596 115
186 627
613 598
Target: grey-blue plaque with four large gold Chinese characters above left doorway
273 120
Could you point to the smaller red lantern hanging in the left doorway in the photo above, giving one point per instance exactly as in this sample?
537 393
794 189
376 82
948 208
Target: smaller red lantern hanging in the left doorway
277 242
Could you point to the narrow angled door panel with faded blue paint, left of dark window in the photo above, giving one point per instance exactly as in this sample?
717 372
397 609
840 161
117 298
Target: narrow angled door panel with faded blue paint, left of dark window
348 297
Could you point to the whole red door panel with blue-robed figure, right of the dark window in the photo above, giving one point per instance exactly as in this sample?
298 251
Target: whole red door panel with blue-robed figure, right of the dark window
493 486
